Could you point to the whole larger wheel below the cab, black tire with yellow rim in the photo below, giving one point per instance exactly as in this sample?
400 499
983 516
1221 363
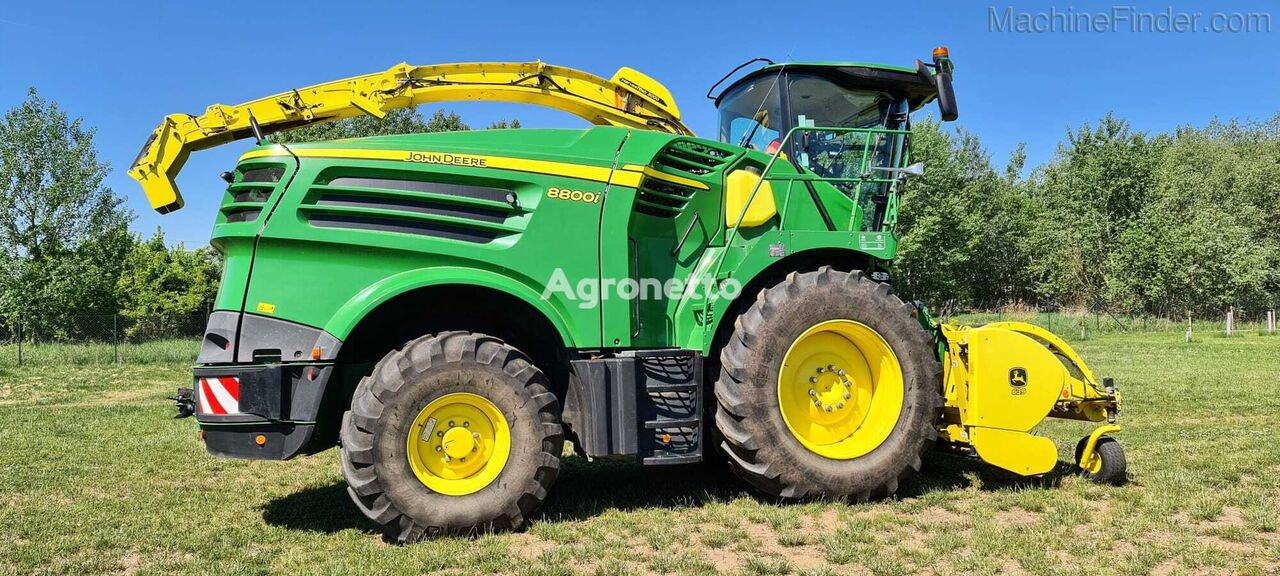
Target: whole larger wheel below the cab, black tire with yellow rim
829 388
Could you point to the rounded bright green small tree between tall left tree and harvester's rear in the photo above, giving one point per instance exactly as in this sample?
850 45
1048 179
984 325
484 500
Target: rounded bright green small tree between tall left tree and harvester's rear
164 290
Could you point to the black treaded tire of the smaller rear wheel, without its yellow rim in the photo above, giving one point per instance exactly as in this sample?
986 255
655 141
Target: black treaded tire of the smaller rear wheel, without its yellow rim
374 432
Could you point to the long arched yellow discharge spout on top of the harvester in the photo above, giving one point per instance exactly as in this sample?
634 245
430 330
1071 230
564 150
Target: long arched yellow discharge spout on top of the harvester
630 99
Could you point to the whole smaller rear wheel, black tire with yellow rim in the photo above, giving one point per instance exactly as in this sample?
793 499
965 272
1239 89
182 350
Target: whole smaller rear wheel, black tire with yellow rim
454 433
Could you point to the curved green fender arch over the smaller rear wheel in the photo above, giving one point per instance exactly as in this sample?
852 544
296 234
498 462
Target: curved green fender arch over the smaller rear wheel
371 299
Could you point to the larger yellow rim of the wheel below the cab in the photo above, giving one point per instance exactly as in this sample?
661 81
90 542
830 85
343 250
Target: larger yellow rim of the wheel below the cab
840 390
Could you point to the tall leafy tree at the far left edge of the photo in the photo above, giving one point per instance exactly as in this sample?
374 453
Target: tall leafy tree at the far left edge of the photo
62 232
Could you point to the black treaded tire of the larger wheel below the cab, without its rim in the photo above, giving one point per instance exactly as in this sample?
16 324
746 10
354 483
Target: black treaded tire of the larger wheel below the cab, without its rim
757 441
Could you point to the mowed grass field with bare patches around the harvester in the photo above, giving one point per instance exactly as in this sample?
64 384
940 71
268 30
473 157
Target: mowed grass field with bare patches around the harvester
98 478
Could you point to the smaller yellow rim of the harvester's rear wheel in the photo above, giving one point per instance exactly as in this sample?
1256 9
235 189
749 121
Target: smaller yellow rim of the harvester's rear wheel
459 444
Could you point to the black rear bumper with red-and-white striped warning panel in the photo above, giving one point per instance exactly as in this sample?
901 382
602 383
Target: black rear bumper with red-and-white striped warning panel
259 412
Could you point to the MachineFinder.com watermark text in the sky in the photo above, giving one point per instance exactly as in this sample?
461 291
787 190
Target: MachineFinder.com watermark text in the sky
1124 20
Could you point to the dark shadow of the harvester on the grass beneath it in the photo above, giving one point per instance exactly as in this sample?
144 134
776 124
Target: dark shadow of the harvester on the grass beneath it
588 490
